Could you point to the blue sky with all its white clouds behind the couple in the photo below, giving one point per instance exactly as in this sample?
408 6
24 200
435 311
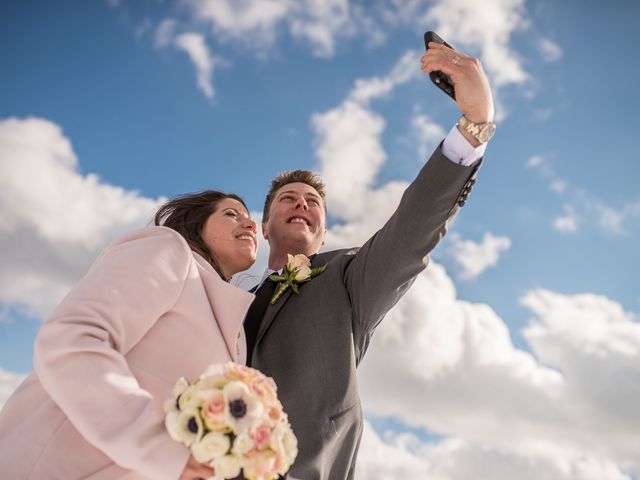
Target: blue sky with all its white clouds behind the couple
108 107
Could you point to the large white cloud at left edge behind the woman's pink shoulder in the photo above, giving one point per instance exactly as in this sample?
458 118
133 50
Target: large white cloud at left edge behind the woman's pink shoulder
55 219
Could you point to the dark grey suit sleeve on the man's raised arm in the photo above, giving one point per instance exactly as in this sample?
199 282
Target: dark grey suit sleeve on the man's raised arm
386 265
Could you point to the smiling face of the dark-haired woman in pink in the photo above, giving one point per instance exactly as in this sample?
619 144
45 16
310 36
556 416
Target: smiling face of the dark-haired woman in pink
231 237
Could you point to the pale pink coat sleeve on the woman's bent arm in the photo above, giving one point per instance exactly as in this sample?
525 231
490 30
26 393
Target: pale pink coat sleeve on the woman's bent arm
80 351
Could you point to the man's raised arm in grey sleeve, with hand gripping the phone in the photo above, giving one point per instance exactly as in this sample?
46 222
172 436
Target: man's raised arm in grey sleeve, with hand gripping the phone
387 263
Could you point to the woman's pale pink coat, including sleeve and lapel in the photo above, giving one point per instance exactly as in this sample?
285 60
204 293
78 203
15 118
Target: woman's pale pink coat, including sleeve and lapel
148 311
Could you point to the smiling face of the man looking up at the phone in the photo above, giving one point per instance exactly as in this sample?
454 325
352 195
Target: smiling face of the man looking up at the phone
296 221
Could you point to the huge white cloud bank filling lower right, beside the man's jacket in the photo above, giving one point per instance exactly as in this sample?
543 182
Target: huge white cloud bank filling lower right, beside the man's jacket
567 411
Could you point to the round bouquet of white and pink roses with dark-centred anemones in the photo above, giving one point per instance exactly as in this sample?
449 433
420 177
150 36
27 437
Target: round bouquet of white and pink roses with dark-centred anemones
233 421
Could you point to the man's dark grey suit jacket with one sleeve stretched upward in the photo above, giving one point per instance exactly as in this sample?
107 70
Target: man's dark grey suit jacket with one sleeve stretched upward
312 343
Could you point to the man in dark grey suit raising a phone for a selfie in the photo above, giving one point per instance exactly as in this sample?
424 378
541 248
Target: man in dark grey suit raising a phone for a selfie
312 342
